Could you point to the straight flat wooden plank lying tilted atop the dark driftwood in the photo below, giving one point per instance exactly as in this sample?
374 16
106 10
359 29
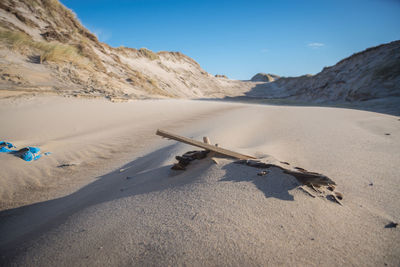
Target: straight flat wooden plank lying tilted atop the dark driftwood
192 142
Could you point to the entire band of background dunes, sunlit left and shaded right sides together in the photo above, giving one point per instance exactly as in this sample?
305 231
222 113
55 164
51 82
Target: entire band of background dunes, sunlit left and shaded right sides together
44 49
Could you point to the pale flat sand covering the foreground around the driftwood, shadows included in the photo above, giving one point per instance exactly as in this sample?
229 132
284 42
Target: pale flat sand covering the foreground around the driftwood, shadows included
211 214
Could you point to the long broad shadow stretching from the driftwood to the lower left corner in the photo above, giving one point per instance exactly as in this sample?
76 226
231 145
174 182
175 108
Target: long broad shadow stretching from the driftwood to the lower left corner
19 226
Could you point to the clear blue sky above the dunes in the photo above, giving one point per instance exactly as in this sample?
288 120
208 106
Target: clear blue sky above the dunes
241 38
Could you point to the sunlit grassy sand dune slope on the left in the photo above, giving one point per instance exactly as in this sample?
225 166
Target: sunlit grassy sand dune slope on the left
44 49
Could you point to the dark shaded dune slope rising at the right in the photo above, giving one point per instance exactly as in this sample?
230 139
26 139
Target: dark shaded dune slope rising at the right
370 74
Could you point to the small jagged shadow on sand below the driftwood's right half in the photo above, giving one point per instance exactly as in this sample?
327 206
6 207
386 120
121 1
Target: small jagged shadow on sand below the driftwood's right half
275 184
